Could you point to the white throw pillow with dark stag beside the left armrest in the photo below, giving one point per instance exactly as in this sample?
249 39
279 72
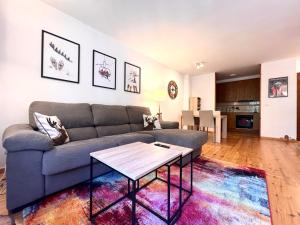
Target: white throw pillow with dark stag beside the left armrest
51 126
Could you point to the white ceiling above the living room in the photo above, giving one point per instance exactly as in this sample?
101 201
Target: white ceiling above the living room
226 34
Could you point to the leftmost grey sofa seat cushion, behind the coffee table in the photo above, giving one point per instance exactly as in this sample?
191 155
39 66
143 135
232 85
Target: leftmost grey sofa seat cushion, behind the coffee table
73 155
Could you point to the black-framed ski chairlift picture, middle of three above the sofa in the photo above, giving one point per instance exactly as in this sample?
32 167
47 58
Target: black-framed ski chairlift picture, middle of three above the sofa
104 70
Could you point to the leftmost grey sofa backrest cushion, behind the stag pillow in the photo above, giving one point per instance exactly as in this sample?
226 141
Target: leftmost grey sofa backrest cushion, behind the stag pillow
77 118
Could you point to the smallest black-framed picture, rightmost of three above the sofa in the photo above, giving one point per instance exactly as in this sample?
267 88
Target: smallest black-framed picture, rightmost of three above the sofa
132 78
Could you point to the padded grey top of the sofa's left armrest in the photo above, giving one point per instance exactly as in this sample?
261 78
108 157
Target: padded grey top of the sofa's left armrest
22 137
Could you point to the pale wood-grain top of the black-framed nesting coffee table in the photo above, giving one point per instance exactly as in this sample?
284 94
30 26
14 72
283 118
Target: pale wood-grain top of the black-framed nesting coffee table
137 159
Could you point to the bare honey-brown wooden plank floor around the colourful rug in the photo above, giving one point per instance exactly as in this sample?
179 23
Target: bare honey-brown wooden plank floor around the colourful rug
279 159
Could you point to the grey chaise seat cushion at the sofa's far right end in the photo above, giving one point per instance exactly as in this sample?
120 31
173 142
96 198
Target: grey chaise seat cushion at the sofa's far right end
185 138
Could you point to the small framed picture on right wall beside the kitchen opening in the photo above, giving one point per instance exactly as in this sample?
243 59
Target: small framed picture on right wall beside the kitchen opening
278 87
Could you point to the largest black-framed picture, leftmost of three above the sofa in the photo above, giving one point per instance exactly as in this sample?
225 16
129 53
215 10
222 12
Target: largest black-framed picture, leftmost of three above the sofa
60 58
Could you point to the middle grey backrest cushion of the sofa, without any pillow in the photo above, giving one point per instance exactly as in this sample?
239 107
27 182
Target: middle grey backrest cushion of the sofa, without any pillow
110 119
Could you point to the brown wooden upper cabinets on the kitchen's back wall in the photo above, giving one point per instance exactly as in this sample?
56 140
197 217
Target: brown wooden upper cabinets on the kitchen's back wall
238 91
